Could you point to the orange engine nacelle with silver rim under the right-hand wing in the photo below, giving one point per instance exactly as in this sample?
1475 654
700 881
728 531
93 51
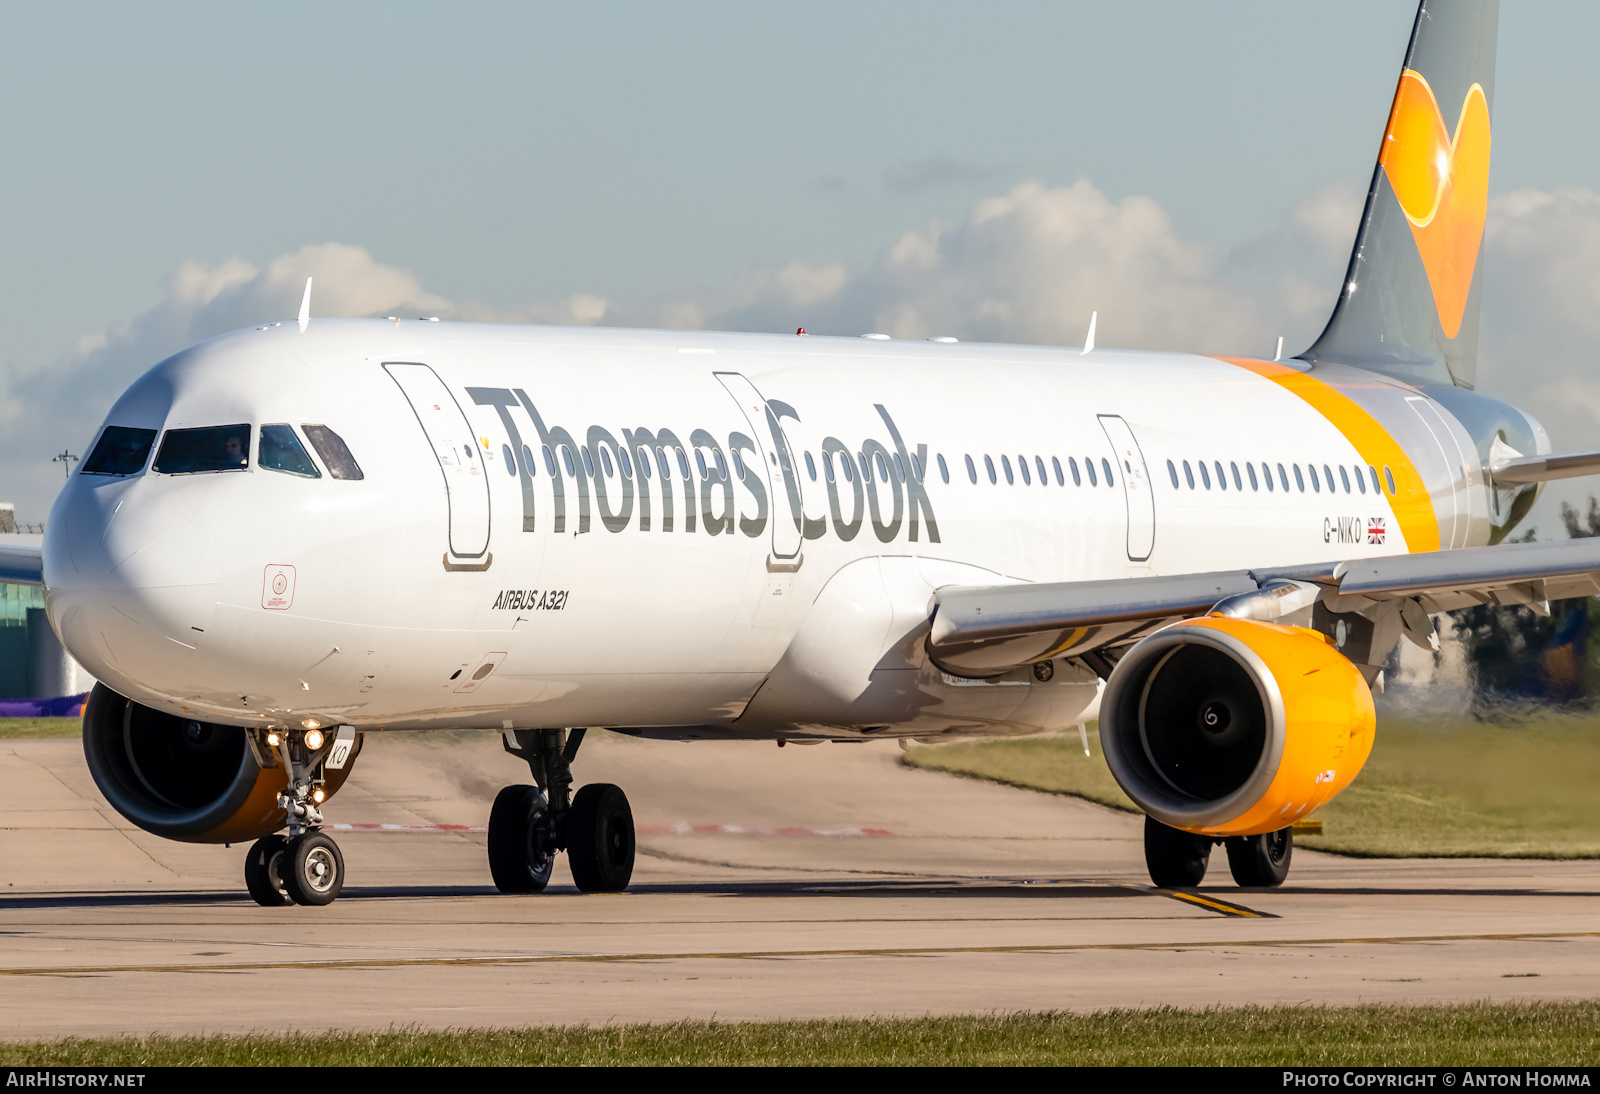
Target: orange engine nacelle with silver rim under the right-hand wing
1231 727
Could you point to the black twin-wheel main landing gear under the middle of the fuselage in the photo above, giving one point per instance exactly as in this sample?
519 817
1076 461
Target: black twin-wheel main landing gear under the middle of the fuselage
529 826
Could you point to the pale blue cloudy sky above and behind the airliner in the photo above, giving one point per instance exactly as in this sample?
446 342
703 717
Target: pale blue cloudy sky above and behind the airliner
679 161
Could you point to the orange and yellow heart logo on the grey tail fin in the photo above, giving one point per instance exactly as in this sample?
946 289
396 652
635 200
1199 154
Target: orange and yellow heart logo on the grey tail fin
1444 188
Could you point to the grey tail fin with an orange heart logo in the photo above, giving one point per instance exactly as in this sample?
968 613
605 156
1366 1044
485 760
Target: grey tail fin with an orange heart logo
1410 298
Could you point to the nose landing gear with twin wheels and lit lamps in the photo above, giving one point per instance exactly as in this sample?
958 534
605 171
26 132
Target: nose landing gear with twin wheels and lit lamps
303 868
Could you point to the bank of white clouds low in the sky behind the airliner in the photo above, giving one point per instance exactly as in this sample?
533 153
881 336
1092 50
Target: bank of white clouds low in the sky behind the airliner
1025 266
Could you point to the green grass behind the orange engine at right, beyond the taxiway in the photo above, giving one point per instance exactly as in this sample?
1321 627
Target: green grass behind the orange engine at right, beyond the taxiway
1433 788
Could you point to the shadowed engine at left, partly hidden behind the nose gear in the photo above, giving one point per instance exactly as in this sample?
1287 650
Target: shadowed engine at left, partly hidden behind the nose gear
185 780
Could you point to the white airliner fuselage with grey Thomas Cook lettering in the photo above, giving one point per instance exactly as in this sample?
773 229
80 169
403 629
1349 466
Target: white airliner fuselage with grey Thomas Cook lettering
436 594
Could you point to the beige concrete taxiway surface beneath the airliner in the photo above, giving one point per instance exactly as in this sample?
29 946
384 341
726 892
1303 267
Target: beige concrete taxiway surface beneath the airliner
770 884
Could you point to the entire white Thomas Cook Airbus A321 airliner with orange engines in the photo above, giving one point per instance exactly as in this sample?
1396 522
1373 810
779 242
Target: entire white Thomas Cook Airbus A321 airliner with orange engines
295 535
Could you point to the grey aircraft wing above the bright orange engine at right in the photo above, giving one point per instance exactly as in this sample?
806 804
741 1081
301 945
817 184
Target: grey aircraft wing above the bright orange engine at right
988 631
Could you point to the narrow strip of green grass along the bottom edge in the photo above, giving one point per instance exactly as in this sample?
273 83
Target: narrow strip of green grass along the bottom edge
1474 1034
